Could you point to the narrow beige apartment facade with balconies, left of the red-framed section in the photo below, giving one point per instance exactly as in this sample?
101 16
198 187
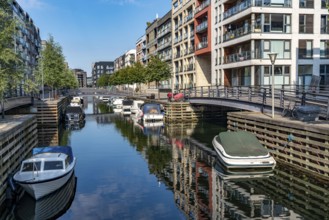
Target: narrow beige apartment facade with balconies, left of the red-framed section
183 44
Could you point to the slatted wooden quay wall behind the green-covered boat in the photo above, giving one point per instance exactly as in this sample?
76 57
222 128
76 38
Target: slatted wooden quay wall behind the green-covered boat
303 145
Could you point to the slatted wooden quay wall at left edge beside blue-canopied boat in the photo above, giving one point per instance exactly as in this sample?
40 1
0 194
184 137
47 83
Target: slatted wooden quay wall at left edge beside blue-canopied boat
18 135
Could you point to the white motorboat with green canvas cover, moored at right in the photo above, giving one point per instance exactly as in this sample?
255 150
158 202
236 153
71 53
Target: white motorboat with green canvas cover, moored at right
241 150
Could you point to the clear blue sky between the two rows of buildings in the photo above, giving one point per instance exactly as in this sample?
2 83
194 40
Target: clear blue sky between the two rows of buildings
93 30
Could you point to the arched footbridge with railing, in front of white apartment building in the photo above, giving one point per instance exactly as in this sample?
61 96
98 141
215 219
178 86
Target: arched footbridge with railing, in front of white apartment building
259 98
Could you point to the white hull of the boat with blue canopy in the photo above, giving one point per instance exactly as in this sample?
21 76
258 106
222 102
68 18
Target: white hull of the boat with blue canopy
38 189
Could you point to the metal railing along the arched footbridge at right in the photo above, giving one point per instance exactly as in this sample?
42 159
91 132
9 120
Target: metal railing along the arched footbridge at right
284 95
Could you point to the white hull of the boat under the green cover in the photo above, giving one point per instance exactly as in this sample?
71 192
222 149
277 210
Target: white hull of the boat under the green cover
266 163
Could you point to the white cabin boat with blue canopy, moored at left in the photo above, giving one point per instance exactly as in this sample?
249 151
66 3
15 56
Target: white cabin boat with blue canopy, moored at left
46 171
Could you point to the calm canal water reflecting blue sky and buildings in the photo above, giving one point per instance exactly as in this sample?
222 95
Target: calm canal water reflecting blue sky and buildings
157 171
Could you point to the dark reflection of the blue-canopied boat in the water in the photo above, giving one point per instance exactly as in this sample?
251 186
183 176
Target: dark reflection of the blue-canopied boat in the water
50 207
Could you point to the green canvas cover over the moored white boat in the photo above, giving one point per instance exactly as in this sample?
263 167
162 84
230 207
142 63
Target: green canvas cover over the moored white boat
241 144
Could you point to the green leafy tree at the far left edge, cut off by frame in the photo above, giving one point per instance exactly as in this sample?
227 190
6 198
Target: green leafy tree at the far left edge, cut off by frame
10 62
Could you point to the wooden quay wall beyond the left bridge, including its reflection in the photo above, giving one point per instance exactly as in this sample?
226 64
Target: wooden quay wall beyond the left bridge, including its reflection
49 116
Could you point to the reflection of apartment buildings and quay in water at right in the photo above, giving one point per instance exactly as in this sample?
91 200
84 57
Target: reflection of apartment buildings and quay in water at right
203 190
